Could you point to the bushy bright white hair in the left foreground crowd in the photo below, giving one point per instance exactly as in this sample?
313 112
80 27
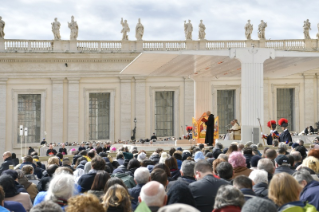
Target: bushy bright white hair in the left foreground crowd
61 186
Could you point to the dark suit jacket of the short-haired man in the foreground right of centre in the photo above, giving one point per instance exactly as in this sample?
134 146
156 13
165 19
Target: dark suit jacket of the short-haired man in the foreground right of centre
204 192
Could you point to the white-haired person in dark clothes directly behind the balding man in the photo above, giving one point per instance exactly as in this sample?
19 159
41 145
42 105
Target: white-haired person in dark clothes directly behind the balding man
141 177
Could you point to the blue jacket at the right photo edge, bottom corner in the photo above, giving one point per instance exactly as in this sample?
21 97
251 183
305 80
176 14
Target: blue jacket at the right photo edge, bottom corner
310 194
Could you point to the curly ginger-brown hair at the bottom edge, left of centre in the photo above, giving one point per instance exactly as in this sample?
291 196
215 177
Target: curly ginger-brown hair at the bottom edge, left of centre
84 203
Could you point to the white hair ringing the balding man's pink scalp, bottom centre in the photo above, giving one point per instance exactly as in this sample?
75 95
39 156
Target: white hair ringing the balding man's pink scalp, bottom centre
156 200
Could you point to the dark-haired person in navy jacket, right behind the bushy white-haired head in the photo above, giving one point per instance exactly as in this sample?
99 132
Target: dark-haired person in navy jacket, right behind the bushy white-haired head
86 180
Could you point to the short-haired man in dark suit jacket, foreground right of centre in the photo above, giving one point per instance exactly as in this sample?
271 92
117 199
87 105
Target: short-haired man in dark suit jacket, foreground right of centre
204 190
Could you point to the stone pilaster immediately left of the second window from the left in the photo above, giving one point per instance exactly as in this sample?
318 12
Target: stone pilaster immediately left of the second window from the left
73 109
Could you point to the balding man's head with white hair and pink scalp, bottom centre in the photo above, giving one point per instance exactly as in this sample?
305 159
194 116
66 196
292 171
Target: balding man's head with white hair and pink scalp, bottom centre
153 194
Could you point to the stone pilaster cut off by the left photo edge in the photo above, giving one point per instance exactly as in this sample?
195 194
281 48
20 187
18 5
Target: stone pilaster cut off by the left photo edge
3 109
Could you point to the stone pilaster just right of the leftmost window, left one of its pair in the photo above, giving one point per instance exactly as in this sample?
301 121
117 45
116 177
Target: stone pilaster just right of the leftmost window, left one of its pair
57 110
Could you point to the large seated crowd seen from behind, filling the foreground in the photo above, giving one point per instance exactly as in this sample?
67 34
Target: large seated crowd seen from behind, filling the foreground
241 177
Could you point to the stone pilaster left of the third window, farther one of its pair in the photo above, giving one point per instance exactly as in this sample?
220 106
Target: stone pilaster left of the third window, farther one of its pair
126 110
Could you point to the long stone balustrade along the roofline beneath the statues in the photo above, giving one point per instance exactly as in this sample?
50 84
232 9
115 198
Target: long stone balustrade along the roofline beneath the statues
10 45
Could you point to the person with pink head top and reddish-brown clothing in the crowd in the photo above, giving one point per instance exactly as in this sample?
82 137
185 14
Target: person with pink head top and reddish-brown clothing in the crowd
238 162
